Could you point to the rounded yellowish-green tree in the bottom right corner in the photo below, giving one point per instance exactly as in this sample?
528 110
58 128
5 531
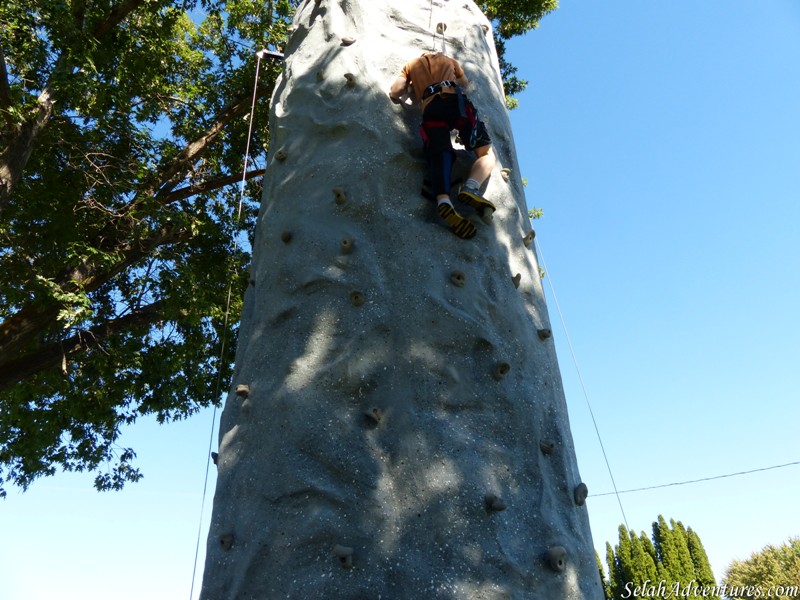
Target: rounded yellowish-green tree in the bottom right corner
772 566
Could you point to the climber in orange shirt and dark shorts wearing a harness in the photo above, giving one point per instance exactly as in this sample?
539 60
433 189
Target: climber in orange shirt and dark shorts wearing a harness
438 82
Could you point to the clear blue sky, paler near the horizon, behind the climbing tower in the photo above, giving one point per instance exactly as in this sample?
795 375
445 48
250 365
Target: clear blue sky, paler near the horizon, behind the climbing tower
662 140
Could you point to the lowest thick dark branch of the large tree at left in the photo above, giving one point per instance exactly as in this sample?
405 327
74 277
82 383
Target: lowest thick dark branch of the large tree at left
52 354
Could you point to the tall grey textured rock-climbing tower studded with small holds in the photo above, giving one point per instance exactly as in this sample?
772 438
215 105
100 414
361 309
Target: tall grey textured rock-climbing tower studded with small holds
396 427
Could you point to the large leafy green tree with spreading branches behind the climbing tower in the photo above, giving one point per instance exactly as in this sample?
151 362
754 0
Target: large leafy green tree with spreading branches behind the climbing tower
122 131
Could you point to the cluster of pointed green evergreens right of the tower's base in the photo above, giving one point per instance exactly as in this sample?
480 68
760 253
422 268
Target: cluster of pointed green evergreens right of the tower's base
675 556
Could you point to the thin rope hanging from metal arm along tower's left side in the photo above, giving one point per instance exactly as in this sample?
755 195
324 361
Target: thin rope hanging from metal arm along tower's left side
218 386
